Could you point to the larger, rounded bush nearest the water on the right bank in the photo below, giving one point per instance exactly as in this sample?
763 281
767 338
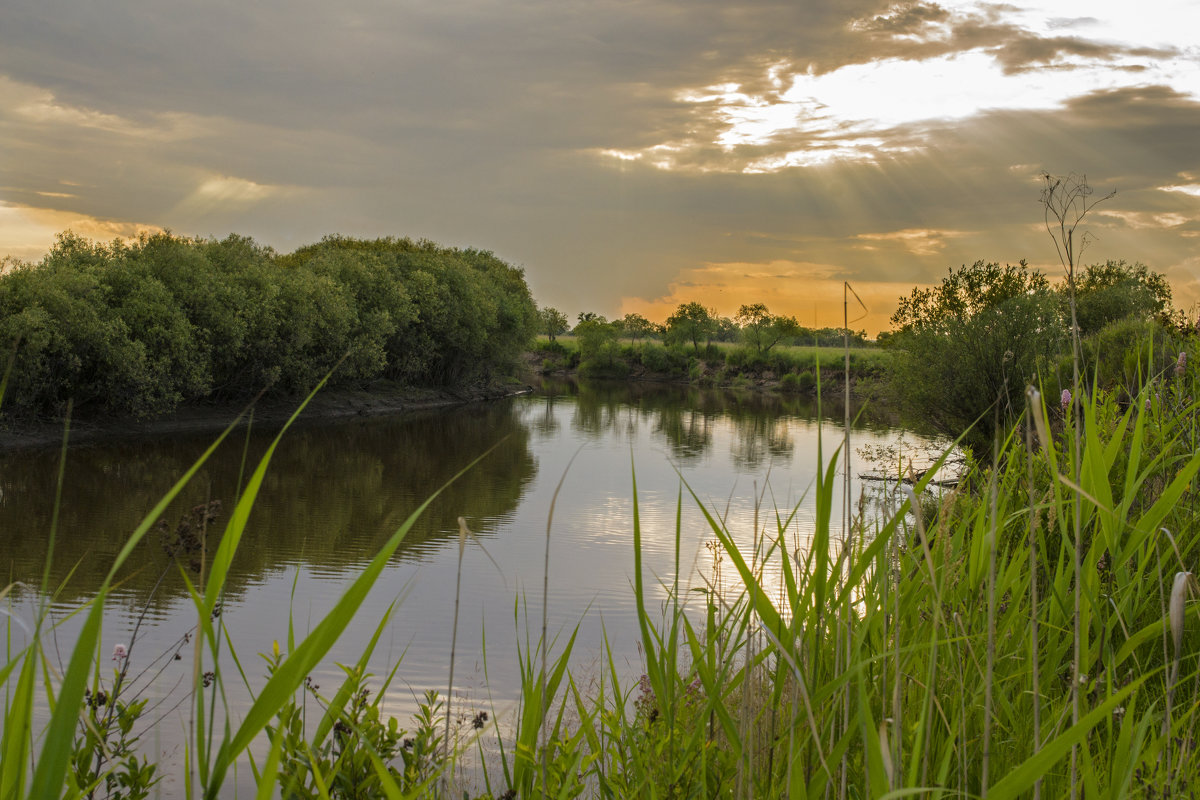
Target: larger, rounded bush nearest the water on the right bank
965 350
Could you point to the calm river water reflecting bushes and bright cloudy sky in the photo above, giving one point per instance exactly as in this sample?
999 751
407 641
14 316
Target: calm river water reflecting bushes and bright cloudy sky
337 491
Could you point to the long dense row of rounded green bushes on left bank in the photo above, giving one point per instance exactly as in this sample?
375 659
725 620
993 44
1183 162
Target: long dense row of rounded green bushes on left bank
141 328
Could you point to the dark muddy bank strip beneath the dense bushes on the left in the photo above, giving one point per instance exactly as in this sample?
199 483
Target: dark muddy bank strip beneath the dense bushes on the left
377 399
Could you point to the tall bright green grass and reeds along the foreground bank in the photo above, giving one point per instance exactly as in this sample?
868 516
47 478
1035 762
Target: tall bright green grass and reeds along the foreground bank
929 658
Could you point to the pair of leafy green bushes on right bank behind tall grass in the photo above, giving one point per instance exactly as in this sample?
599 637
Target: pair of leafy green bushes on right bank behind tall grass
965 350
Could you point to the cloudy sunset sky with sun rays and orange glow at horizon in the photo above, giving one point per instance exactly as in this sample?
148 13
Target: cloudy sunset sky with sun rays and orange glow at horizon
629 155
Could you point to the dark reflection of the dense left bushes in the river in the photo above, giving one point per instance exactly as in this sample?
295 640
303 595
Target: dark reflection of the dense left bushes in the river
334 494
